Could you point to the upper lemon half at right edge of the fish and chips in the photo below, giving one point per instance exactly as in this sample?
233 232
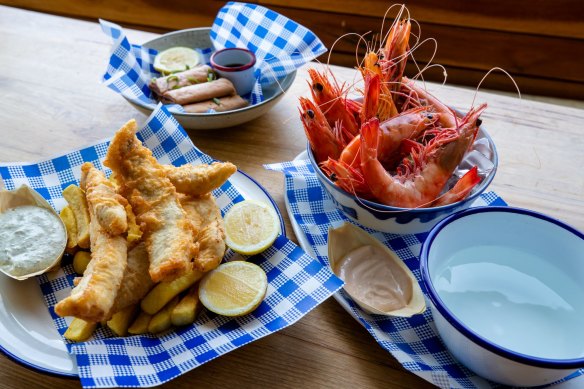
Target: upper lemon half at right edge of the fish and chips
251 227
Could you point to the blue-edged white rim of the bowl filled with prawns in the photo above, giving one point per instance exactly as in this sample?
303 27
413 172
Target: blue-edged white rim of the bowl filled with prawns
382 207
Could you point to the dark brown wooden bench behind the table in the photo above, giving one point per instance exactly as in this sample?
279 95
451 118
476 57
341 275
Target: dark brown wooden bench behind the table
540 42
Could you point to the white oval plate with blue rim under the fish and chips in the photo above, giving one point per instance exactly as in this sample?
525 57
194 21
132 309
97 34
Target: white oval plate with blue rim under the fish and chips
27 333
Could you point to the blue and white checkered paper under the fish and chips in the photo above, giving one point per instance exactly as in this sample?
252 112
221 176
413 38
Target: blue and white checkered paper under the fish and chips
297 282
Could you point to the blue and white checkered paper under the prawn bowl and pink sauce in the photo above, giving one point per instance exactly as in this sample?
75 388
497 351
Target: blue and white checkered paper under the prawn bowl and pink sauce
414 342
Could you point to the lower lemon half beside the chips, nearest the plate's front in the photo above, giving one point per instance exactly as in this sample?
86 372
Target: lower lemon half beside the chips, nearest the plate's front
234 288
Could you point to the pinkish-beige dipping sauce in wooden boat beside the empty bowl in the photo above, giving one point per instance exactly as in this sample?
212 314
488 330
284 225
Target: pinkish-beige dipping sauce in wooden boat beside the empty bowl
372 277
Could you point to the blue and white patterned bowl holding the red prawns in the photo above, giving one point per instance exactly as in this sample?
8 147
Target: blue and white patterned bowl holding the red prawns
402 220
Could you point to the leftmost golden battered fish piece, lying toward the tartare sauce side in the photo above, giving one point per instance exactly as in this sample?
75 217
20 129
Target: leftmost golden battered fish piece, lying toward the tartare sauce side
93 298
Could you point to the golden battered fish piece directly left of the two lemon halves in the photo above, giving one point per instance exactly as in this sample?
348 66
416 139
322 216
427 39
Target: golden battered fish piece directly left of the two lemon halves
206 217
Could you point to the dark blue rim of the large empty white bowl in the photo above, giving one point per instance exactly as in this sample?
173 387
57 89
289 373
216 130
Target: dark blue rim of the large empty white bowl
432 294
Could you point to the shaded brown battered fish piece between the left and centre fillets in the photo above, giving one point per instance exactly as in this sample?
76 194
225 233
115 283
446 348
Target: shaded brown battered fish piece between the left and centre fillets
136 282
